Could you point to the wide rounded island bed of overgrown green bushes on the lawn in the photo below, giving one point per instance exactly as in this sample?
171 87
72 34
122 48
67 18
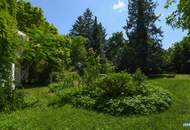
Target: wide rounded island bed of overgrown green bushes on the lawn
117 94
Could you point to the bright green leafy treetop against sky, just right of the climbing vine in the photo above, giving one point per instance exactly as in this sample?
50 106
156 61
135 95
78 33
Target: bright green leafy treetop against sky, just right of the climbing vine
29 16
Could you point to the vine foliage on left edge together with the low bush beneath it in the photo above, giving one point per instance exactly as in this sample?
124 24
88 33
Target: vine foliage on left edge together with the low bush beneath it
9 99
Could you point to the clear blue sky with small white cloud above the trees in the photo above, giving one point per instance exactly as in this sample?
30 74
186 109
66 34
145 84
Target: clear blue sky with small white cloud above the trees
111 13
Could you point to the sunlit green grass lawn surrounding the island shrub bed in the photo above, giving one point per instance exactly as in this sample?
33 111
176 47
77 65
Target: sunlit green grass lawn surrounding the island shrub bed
42 117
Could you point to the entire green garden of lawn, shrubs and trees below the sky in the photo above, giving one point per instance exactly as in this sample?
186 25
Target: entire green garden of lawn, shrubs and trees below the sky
87 80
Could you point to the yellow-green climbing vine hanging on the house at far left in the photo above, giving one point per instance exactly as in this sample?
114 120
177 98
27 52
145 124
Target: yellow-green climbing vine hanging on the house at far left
8 38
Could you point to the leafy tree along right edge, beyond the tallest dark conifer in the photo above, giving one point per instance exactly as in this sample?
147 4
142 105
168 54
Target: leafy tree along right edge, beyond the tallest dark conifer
180 52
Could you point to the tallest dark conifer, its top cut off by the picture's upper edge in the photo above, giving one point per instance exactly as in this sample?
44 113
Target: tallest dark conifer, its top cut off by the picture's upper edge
143 35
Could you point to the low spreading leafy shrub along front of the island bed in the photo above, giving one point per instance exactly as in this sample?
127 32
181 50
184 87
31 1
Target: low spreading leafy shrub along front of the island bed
139 104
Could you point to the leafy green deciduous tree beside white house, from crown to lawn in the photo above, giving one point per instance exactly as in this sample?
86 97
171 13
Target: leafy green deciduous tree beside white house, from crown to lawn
42 56
